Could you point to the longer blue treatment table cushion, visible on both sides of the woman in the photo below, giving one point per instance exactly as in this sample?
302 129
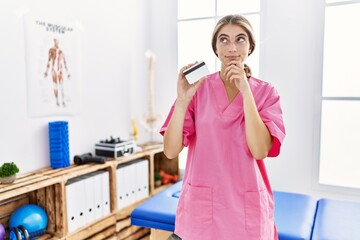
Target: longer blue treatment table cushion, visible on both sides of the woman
294 213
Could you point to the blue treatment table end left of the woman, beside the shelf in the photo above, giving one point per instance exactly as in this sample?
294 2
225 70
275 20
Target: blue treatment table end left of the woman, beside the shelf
159 211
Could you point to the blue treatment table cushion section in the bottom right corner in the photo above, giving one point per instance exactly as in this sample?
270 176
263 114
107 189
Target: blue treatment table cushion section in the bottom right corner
337 220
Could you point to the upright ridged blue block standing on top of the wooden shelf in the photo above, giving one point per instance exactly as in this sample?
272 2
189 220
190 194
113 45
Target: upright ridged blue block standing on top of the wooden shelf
59 144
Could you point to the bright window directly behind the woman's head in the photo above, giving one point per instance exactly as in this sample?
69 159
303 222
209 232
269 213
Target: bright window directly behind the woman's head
196 21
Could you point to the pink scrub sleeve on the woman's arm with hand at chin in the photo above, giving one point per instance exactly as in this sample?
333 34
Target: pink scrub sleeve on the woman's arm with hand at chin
271 114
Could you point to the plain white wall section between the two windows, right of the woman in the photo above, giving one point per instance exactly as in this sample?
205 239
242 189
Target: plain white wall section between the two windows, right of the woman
291 59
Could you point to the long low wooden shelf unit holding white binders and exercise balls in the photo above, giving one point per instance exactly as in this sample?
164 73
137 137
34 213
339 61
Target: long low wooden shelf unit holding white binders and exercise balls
47 188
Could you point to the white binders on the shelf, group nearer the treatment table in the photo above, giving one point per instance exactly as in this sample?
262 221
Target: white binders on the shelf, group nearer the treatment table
132 182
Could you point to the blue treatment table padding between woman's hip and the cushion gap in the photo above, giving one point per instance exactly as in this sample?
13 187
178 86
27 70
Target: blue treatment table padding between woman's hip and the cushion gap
294 215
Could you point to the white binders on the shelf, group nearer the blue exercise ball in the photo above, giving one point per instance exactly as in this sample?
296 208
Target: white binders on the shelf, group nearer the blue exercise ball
87 199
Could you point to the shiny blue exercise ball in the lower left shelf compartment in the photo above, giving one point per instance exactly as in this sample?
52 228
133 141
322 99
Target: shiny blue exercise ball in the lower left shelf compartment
31 216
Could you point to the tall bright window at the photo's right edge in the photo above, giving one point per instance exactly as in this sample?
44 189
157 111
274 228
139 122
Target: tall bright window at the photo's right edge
340 114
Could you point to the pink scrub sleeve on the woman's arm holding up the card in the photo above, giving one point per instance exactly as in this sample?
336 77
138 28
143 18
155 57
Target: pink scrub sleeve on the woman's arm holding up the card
189 127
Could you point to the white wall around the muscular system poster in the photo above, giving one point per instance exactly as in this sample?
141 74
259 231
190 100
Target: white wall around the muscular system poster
114 40
